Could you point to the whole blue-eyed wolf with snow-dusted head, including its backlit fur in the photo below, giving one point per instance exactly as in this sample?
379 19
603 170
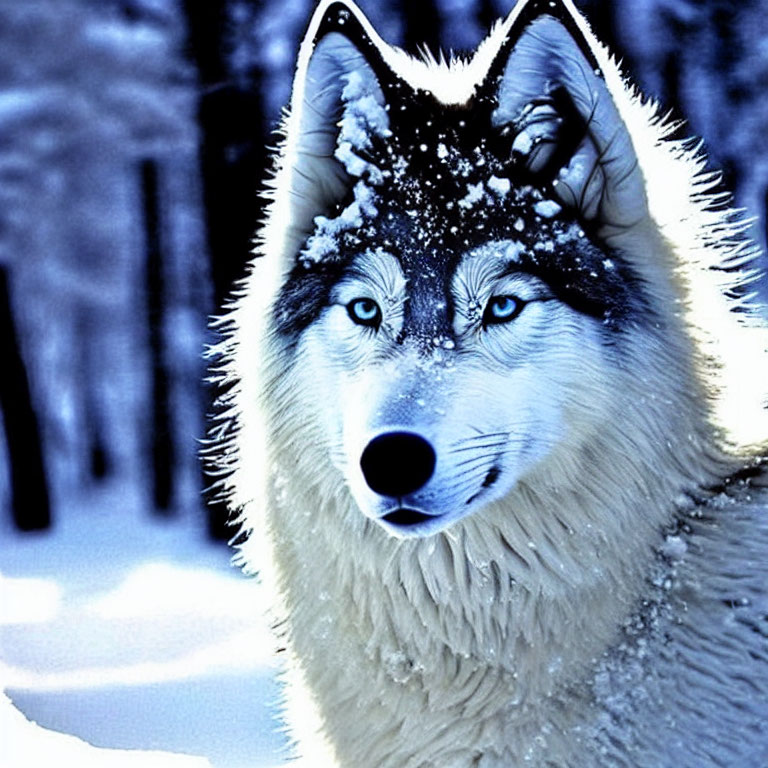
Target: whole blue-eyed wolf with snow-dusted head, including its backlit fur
493 414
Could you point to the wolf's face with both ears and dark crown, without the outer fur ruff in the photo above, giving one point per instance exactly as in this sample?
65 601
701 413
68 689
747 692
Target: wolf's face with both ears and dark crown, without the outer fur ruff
458 284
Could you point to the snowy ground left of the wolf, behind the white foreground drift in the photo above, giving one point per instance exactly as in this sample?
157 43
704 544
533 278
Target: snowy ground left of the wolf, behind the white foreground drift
134 633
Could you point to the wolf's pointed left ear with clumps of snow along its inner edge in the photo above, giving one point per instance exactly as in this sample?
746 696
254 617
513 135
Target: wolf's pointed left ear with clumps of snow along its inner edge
337 104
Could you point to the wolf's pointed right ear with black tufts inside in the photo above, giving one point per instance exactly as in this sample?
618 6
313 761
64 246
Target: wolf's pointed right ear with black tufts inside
562 118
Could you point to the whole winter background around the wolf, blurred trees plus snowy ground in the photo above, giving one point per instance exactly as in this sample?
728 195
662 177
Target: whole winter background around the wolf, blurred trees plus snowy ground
134 140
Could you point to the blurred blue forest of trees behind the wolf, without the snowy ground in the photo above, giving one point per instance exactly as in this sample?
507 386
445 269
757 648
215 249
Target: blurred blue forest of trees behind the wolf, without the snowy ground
133 139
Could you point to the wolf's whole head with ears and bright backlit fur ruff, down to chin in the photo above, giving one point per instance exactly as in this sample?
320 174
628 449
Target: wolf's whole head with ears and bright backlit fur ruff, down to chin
477 278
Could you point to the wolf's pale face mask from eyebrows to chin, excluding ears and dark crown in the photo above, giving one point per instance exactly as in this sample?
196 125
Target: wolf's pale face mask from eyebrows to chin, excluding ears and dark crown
446 389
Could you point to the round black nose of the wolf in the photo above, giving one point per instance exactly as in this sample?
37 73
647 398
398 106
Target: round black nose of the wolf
397 463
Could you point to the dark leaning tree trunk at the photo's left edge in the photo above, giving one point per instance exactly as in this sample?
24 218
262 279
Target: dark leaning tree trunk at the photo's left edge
29 482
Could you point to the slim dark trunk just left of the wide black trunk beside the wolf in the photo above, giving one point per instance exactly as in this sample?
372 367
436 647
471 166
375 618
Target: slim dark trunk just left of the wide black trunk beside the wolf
161 436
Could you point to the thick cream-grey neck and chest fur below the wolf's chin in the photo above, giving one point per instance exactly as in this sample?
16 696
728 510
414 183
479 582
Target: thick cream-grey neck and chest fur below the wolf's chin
495 624
